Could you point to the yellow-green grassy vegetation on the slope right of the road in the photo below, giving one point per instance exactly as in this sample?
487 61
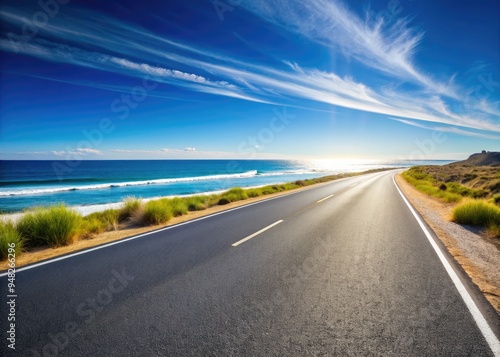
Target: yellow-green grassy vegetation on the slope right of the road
474 191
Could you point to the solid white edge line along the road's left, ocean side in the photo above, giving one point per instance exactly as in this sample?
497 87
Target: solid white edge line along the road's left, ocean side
53 260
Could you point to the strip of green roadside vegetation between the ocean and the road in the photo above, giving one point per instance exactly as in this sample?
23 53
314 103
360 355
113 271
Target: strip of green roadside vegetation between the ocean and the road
60 225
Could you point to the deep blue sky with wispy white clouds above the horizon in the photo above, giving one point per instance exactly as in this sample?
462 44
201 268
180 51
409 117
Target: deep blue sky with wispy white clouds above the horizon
249 79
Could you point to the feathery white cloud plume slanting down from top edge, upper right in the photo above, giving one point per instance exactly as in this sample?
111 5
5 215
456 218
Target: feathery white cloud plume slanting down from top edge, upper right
374 43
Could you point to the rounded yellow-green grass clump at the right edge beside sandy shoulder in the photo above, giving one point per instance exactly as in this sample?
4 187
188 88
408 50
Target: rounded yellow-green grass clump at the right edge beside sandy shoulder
480 213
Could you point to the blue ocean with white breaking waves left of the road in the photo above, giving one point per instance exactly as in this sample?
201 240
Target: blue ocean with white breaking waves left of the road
27 184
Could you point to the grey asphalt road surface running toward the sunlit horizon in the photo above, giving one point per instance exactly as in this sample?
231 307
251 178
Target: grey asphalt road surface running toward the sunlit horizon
351 275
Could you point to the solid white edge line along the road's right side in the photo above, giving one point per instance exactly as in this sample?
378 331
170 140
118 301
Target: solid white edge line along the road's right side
481 322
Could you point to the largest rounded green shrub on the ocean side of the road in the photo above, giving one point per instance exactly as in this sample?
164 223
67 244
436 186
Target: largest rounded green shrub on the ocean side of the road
54 226
